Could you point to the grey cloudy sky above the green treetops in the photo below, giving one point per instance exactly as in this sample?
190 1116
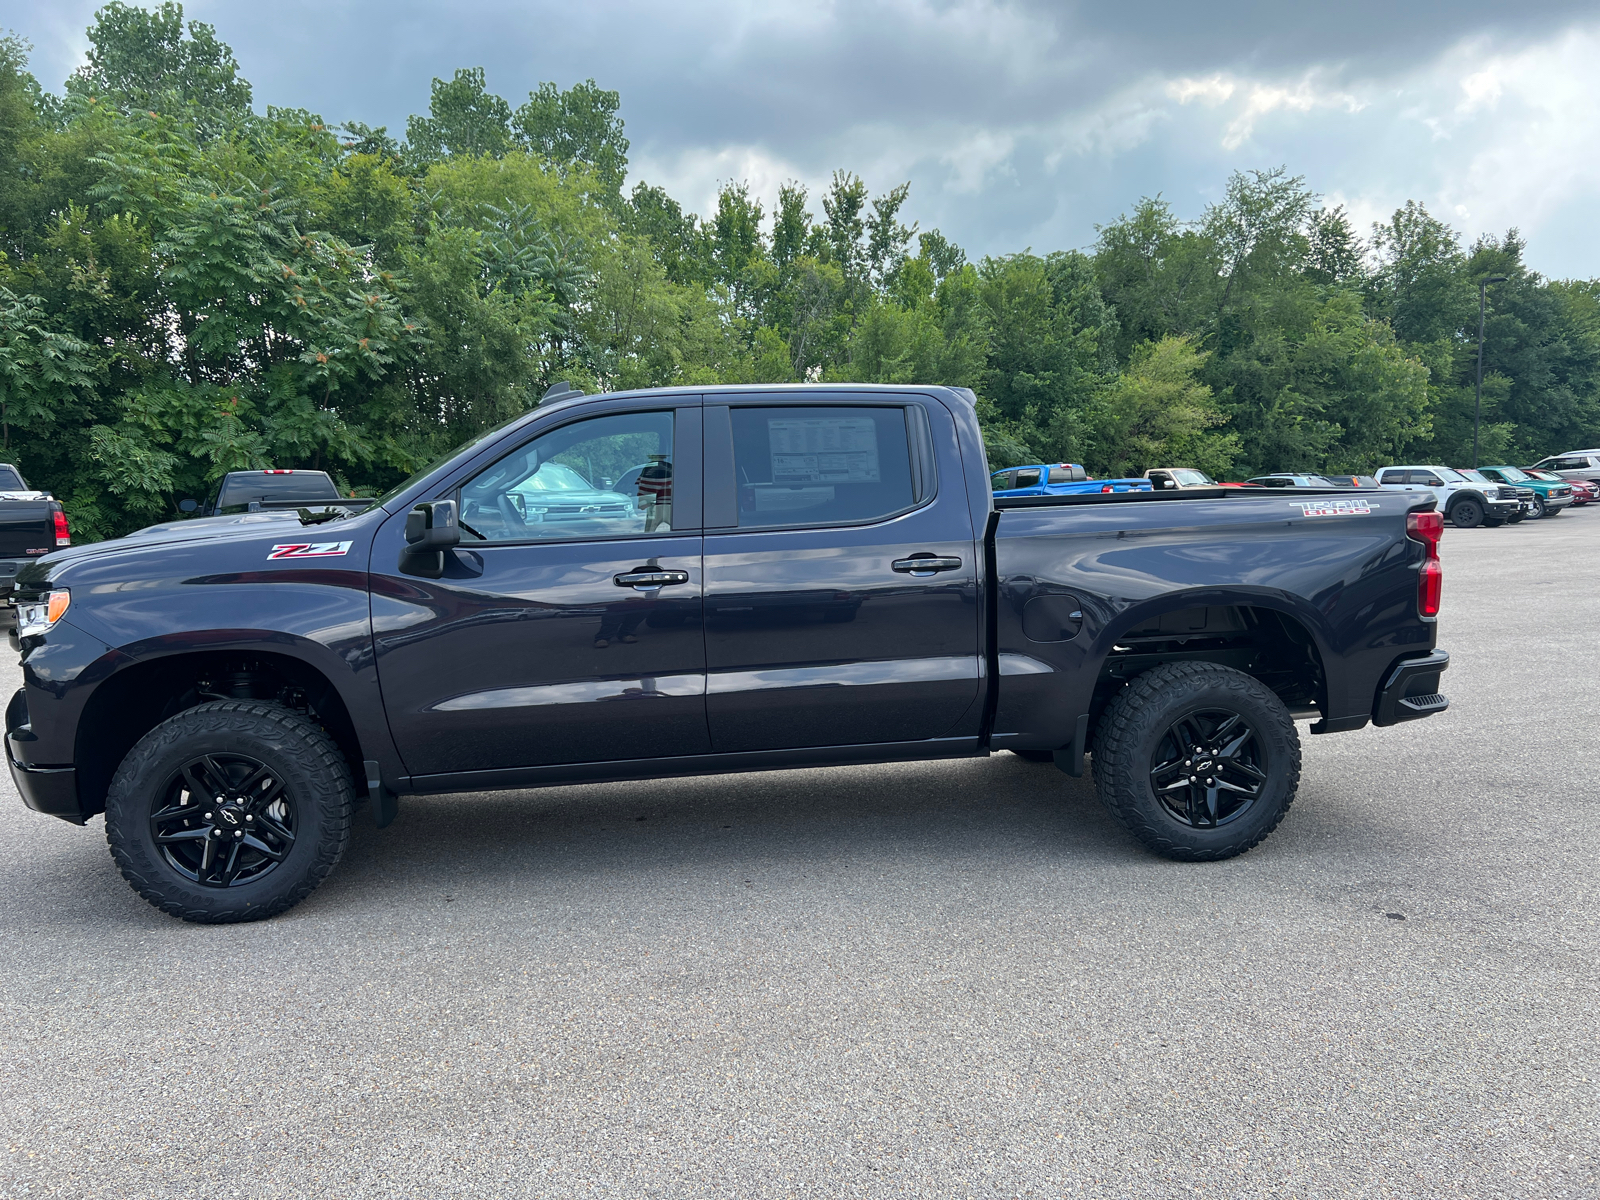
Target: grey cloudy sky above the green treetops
1018 124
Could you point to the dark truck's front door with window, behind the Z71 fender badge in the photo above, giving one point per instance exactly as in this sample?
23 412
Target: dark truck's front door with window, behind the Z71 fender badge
567 626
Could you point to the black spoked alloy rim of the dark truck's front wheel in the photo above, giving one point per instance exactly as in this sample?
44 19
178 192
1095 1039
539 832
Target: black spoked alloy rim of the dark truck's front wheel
225 820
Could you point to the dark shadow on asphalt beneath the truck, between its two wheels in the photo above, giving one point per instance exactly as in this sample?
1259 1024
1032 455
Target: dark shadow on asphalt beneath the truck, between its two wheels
1002 810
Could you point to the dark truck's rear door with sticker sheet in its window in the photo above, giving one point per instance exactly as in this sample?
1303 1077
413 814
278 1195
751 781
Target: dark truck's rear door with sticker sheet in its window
822 630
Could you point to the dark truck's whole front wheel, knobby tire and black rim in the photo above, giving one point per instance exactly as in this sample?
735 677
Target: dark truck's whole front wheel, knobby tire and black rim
230 812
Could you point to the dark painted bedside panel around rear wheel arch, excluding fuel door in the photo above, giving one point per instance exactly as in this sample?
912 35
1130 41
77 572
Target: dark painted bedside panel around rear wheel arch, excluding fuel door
1350 580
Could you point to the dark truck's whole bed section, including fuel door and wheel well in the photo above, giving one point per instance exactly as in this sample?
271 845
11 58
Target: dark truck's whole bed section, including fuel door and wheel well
1094 590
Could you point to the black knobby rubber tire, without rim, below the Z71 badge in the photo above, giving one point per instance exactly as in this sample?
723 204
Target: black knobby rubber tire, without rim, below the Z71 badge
316 782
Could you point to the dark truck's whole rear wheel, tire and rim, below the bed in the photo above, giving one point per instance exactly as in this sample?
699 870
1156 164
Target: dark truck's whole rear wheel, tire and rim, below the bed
1199 761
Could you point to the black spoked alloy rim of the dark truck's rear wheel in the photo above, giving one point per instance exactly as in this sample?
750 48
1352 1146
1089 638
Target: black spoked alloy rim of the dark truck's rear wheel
1210 769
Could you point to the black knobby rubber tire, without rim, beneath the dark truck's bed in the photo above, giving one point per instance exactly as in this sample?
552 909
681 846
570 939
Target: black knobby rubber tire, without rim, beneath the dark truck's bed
1138 719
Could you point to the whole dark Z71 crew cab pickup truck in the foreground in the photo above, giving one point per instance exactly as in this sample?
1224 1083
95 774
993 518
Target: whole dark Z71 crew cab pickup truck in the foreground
694 582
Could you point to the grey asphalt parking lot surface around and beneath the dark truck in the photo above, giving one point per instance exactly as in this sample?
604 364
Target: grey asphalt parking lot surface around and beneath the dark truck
924 980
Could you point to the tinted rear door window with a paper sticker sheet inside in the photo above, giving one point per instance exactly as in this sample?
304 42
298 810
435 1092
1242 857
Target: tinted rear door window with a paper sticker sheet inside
823 466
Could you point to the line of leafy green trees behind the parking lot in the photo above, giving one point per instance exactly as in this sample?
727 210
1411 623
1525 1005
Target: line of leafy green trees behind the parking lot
190 287
